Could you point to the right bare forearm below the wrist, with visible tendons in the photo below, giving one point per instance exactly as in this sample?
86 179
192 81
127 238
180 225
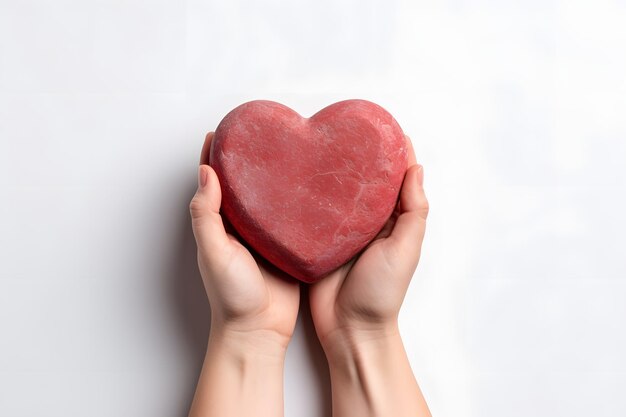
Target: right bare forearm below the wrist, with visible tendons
371 376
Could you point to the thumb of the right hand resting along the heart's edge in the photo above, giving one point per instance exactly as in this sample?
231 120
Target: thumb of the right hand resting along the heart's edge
408 230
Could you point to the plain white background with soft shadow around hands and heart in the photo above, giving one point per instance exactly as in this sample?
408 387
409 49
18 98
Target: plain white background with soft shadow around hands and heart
516 109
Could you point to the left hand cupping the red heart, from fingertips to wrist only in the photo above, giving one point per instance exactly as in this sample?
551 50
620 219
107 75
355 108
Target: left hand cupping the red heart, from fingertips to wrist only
248 297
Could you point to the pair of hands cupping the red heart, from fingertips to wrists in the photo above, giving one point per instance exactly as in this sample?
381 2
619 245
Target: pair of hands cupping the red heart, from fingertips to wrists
361 300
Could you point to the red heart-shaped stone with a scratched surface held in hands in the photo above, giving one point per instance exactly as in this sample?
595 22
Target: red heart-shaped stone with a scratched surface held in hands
309 194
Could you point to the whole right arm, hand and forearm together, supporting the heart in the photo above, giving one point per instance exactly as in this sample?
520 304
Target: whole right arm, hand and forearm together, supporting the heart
355 311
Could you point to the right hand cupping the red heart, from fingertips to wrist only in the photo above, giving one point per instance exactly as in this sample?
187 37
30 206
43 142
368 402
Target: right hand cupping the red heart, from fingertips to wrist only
362 299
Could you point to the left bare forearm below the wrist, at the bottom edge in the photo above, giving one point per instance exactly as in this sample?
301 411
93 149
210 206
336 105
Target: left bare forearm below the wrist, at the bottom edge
241 376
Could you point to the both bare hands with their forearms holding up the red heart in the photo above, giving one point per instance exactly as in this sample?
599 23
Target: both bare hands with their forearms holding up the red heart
355 310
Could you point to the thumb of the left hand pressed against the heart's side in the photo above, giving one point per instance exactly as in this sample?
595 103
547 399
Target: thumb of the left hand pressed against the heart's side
205 211
